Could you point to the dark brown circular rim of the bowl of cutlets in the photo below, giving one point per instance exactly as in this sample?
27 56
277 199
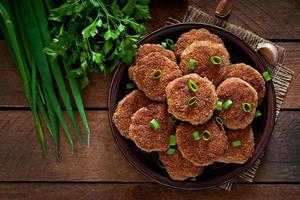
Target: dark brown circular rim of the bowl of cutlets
259 148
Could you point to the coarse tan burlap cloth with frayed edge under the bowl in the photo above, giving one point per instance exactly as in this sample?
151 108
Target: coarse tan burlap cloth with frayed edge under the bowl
281 75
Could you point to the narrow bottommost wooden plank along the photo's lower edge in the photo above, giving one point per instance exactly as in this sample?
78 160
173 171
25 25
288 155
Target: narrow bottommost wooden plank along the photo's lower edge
144 191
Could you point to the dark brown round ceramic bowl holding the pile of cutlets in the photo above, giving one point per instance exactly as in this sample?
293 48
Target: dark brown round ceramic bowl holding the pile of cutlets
217 173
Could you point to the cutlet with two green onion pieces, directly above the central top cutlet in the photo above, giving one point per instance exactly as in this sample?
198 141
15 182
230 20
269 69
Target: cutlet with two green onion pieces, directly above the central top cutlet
197 58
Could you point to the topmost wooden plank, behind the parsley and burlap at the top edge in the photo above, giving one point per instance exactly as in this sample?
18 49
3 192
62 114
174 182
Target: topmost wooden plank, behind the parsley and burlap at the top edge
269 19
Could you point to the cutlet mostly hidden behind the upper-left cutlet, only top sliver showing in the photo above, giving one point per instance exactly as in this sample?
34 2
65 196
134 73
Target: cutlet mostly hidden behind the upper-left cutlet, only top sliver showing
145 49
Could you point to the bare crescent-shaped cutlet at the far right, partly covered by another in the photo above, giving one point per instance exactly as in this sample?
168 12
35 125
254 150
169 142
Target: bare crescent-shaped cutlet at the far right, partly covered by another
250 75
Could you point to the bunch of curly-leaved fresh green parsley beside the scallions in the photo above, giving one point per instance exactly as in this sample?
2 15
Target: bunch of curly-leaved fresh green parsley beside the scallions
96 35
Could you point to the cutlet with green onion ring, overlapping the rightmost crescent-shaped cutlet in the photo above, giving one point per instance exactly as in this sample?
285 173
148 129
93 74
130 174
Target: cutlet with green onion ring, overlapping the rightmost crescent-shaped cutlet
244 102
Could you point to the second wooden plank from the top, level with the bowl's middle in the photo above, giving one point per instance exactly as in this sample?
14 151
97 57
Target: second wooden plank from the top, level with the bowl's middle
95 95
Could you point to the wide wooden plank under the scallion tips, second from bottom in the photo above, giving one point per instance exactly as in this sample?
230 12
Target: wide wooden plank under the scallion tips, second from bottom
21 159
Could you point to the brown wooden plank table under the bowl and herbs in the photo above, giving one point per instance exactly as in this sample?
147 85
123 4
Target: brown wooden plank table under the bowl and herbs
101 172
